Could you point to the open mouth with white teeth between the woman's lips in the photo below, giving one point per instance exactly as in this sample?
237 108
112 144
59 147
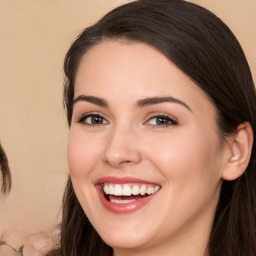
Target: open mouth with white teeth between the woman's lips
127 193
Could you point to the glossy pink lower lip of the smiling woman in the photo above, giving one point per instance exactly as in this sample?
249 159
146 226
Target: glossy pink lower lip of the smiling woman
123 208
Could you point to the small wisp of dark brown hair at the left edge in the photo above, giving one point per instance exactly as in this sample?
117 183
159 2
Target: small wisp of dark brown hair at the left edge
6 174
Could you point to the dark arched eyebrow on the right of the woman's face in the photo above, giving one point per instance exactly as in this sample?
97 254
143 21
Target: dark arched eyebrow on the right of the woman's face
158 100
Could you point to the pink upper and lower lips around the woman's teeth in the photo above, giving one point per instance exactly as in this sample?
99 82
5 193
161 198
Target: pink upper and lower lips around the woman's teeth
122 208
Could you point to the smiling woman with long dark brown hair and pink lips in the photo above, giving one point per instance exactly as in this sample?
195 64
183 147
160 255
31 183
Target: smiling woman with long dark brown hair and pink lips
161 107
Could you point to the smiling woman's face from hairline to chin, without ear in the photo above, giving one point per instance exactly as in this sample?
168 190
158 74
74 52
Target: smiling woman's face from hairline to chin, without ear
144 153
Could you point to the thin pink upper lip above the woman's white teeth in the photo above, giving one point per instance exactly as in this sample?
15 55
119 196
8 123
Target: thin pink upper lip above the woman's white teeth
122 180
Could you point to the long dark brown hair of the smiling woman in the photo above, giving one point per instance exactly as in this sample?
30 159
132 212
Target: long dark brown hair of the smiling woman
205 49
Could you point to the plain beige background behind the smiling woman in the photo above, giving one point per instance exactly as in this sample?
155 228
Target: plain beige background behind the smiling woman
34 36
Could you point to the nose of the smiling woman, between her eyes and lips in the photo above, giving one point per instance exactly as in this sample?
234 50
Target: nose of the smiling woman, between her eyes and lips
121 148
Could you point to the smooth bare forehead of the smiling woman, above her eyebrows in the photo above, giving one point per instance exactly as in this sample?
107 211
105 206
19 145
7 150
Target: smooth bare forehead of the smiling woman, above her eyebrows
134 70
